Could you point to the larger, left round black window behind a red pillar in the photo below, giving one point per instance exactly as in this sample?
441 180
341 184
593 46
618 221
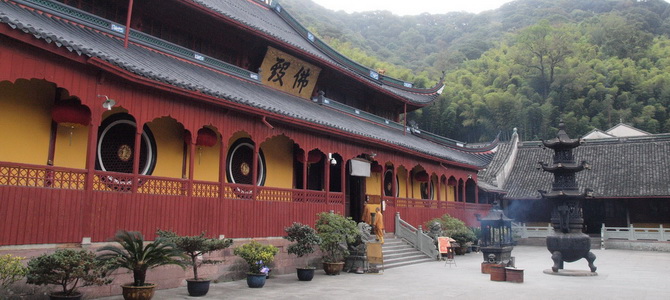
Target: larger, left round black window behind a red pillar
116 146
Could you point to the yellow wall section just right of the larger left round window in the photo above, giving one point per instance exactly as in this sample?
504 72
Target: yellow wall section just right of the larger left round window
169 137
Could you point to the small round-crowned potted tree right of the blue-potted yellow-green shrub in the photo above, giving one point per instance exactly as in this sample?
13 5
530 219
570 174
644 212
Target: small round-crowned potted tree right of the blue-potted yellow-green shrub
306 240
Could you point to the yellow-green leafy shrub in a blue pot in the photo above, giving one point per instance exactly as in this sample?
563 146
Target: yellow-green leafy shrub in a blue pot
257 257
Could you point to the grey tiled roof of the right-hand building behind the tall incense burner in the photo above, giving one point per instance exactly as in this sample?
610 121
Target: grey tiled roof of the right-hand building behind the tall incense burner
633 167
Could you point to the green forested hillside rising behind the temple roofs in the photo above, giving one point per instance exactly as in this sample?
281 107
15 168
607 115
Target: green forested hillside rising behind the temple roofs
526 65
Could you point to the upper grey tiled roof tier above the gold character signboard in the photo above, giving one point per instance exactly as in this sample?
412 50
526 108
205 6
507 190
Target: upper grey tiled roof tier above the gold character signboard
265 20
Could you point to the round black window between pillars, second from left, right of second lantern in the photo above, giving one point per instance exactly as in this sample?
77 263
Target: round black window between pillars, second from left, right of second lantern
240 161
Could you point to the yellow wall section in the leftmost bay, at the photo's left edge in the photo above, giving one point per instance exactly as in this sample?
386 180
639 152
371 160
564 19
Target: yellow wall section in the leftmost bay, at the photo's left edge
25 121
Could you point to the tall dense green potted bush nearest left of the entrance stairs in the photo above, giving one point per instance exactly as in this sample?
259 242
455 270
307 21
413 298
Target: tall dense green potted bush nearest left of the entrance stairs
336 232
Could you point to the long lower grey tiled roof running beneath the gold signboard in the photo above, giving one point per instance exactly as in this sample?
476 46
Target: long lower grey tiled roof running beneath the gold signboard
182 74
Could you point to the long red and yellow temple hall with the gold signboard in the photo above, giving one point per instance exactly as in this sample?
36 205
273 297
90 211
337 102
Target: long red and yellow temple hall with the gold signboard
221 116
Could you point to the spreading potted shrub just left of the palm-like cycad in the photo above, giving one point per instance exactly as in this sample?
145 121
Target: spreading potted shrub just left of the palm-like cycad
67 268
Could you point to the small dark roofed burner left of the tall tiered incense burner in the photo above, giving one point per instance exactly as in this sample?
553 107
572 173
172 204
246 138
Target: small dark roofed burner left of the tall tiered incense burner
496 241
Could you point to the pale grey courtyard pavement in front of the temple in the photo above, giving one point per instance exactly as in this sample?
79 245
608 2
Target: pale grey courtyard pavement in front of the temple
622 274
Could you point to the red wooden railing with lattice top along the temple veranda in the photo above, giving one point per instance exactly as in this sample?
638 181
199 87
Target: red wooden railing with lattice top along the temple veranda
45 204
